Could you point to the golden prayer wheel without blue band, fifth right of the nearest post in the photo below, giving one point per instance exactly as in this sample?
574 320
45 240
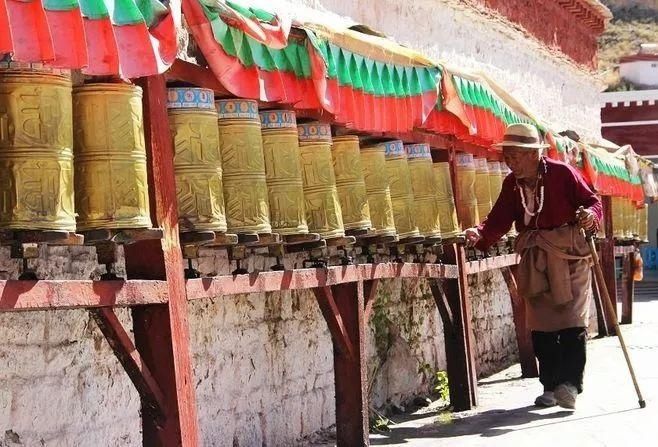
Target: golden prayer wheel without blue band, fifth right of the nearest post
350 183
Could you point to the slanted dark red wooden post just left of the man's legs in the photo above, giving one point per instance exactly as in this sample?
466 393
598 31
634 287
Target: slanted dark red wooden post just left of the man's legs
523 337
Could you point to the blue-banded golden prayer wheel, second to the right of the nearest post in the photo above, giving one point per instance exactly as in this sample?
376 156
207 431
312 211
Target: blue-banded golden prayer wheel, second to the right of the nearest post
243 163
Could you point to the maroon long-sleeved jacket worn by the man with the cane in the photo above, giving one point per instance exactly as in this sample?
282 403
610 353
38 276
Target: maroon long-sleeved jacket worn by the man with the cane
565 190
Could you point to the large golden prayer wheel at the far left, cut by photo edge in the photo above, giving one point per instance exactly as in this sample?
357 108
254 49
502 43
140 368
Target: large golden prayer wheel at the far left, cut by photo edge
36 150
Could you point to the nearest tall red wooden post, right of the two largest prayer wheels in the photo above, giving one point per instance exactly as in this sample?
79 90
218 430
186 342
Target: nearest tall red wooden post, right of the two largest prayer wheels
161 330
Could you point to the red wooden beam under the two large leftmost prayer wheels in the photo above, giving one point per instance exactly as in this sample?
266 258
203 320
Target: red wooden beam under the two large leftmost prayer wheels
41 295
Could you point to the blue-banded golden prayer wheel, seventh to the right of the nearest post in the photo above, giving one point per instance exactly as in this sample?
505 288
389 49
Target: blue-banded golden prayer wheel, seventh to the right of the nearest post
402 196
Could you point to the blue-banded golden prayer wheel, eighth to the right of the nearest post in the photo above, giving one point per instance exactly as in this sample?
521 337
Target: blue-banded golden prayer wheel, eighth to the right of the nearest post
419 159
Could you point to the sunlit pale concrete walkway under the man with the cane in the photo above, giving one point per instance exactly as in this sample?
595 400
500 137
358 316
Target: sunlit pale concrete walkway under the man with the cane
607 413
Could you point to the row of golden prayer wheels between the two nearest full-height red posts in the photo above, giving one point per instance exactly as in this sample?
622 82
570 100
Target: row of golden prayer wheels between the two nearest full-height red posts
242 170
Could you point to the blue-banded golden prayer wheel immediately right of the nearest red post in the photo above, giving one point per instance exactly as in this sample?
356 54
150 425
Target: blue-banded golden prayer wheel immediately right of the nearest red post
197 161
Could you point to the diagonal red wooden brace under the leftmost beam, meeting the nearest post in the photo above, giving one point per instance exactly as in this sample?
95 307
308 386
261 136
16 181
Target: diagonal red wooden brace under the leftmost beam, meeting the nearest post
123 347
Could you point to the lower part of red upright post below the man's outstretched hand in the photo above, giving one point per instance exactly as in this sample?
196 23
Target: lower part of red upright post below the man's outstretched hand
459 341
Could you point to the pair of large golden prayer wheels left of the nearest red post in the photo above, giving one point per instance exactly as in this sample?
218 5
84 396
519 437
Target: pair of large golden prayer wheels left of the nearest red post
70 158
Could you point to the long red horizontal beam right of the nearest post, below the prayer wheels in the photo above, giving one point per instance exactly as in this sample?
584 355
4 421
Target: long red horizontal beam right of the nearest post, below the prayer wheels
311 278
